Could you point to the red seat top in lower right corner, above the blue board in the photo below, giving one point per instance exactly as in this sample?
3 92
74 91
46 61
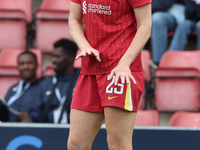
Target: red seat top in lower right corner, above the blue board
185 119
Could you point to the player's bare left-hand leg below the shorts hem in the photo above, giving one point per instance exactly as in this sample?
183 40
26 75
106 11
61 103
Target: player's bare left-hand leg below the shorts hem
83 128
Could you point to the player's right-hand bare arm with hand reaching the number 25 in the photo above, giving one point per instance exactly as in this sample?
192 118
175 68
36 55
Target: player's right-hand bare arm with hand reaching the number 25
143 19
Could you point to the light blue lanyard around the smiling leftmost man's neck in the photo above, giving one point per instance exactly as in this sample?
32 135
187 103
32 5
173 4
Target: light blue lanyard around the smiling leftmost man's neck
19 93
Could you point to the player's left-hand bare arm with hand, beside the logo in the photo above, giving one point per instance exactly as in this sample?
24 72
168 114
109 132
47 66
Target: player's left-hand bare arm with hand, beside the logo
77 32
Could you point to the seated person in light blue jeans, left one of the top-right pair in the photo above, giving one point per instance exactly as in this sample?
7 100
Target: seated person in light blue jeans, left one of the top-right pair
167 14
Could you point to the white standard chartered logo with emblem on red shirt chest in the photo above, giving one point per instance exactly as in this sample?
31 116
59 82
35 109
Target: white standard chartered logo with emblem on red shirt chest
94 8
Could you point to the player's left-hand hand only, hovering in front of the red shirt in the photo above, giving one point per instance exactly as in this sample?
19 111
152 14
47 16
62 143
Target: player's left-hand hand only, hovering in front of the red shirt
89 51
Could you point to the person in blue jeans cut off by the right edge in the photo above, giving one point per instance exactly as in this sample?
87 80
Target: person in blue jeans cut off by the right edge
186 27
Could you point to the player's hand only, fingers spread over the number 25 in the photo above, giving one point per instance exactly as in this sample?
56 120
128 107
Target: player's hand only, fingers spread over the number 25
122 71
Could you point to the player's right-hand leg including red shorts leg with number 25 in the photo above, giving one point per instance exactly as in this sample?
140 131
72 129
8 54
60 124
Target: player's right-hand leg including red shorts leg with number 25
120 103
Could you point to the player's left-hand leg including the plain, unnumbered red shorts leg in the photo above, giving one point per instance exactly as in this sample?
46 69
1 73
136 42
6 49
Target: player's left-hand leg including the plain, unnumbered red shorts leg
86 114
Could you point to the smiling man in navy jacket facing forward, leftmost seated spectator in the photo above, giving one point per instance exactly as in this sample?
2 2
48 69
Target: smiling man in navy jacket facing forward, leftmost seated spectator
21 96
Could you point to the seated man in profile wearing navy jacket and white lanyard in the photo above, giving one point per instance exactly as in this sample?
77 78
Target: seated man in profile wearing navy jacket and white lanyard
63 58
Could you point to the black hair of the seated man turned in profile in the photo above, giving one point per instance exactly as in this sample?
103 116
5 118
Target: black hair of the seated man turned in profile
67 45
